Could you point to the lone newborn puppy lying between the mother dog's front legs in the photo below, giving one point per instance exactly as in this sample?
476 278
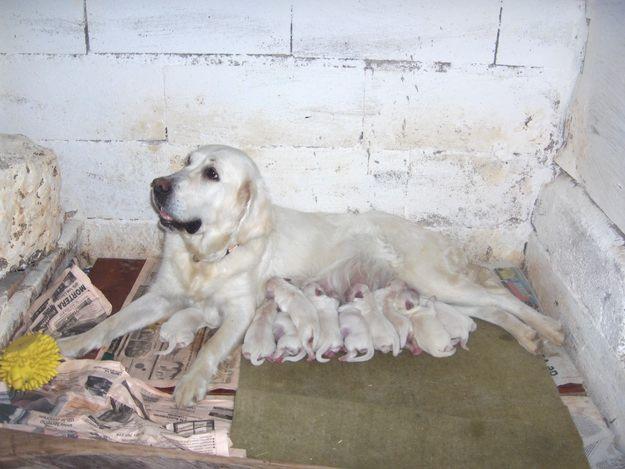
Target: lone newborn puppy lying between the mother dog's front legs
180 329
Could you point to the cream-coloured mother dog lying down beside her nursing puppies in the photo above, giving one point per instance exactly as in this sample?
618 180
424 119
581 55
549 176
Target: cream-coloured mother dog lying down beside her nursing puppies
224 239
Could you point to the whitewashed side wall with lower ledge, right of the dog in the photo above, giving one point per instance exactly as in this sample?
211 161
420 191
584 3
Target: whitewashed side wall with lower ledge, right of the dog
576 255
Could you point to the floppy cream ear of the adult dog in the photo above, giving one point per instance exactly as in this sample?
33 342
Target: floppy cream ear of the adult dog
256 221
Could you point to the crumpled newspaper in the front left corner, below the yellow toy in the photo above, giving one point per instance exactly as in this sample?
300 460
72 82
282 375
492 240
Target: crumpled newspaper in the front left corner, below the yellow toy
99 400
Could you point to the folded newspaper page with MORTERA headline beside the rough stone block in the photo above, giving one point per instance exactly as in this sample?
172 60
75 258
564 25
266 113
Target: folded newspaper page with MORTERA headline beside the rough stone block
70 306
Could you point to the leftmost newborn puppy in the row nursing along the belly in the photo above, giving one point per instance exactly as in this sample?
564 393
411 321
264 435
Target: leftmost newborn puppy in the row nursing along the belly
259 343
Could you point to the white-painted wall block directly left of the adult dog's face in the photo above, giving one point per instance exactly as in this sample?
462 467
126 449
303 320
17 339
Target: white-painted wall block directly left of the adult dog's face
112 179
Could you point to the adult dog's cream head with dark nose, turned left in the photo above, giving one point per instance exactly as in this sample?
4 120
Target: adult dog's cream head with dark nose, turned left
218 192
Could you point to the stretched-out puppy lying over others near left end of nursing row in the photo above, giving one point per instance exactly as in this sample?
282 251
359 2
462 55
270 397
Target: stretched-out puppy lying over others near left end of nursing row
303 313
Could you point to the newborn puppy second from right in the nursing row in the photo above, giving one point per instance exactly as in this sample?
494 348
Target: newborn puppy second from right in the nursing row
428 330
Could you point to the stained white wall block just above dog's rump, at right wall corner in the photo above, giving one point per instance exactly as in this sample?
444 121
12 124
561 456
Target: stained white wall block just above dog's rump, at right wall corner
450 189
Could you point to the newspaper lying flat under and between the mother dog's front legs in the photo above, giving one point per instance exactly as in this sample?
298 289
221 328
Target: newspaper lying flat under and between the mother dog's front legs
137 351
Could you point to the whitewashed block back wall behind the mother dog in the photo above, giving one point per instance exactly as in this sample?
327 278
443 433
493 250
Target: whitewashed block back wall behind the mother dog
447 112
